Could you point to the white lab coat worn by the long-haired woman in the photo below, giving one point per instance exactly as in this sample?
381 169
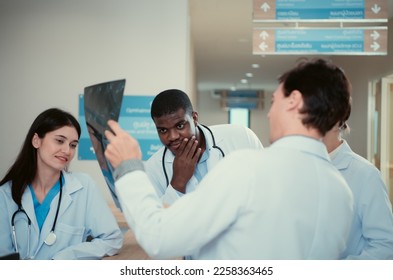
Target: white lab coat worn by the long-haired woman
83 212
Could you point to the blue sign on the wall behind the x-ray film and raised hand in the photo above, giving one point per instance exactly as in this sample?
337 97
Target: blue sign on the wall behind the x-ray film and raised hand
134 118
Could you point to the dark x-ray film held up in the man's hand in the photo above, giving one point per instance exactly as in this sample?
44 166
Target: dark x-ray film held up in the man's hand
102 102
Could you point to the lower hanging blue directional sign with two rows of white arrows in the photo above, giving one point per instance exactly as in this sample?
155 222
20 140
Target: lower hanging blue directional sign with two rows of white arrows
333 41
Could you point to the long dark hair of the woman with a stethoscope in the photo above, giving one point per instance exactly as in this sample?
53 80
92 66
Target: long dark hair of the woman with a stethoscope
24 169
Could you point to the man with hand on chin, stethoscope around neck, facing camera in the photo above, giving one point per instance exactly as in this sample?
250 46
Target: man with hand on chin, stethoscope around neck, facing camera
175 169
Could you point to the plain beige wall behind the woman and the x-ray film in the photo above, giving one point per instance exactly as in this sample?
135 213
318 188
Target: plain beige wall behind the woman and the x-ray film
50 50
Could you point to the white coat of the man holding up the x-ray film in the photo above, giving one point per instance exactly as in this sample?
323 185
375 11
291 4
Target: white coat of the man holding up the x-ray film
283 202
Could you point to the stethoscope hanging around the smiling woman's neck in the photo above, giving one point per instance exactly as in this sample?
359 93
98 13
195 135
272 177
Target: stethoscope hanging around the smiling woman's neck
51 237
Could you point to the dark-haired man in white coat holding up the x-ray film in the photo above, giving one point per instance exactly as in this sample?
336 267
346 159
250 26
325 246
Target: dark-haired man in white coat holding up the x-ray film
283 202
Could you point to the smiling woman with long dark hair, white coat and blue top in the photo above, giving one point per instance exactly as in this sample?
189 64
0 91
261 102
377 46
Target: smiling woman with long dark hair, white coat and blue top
46 212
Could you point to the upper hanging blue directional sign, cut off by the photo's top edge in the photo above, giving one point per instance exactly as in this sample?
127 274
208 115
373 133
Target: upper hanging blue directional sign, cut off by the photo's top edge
331 10
